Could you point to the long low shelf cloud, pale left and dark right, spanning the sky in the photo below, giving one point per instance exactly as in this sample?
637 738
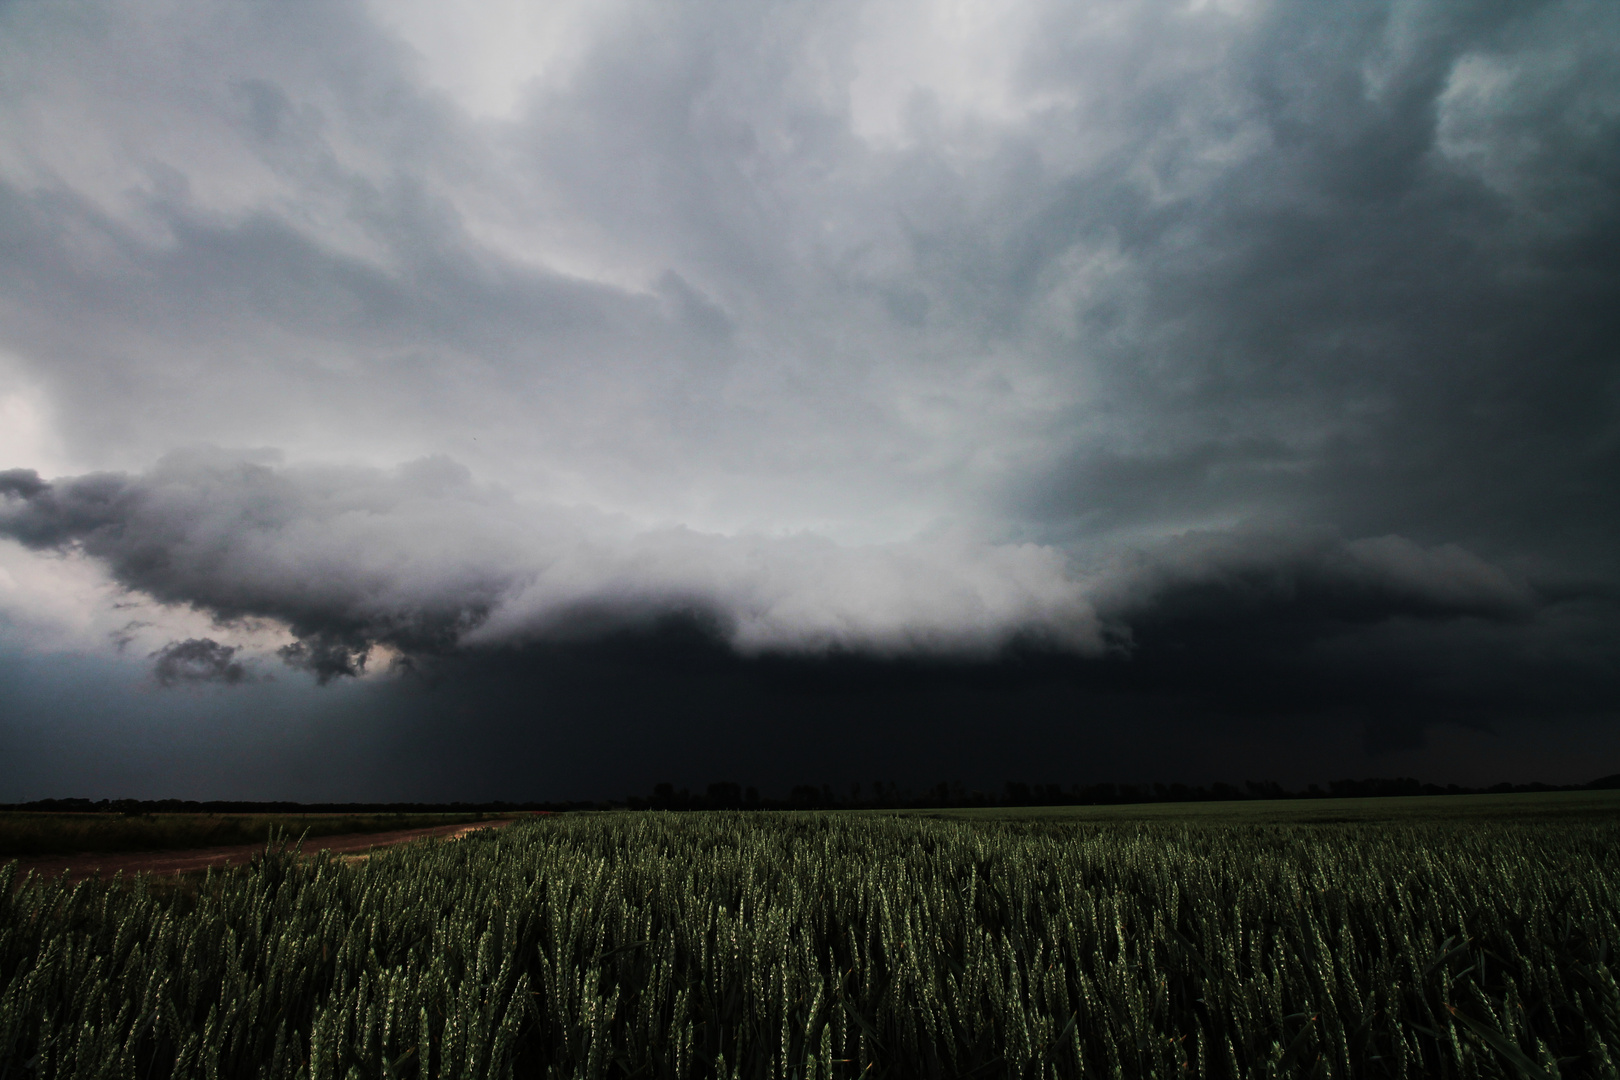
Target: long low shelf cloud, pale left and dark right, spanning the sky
430 564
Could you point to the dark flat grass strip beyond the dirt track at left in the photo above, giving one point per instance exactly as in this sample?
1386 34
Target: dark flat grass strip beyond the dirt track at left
25 833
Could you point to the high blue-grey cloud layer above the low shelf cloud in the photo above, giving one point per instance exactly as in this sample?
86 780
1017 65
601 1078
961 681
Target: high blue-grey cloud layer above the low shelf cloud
688 283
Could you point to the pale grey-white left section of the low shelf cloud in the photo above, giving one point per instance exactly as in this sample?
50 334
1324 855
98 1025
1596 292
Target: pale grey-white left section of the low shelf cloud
424 561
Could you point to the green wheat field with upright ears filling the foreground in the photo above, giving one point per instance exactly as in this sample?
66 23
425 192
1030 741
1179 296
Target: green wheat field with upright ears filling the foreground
1370 938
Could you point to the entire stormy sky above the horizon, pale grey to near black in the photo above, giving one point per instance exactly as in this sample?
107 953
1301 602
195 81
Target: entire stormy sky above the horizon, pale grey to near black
548 401
